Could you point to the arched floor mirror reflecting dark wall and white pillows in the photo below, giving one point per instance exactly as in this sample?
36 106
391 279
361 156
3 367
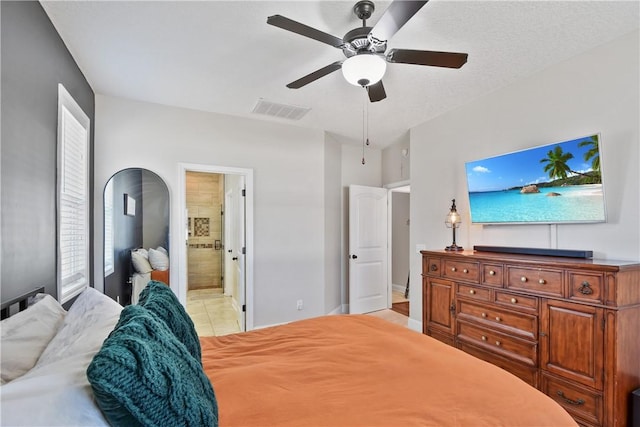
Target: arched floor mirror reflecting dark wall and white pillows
136 233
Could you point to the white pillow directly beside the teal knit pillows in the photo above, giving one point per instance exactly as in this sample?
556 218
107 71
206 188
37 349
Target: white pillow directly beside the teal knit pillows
88 323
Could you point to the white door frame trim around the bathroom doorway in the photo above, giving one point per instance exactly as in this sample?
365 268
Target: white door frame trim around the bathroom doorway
182 233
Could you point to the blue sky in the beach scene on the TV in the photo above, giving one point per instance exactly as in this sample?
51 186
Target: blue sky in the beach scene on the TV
522 167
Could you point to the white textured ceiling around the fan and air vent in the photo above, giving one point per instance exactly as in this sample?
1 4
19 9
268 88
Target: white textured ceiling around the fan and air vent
221 56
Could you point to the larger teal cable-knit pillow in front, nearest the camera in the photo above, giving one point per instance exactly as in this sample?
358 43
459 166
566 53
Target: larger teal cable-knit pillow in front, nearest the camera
143 376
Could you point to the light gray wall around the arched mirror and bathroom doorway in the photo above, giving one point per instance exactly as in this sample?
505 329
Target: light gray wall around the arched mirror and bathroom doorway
289 202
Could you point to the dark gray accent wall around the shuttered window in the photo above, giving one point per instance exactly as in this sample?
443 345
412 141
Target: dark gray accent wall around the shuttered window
34 60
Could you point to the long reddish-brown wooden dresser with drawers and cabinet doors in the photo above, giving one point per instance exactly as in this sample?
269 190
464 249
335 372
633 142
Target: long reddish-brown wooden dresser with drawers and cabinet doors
569 327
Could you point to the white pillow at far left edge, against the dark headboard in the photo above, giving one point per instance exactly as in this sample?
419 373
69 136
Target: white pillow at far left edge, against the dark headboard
25 336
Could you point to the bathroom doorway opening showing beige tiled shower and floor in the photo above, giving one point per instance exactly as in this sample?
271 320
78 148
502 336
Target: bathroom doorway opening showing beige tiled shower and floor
215 257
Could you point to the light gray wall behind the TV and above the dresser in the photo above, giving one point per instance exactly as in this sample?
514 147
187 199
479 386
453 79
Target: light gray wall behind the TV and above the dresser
597 91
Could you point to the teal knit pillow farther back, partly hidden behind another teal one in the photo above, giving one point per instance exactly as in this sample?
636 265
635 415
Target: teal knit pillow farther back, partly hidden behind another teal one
162 302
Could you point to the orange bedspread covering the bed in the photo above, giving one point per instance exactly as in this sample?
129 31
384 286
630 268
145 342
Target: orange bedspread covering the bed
363 371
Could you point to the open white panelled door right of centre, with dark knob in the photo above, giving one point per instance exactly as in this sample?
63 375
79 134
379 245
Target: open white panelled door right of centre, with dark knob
368 249
